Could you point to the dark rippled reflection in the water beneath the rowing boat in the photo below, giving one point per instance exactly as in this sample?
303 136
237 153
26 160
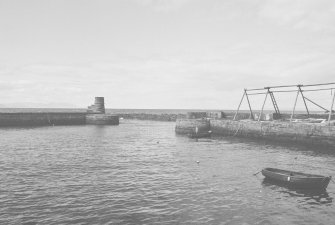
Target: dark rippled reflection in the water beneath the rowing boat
308 196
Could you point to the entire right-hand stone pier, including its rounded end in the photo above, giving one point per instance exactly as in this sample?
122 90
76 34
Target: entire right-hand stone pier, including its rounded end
304 133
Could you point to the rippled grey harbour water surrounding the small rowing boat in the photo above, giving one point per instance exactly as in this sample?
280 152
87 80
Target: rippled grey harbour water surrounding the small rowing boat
140 172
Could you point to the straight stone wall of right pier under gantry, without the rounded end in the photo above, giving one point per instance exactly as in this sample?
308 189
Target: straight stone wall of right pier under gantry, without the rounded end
302 133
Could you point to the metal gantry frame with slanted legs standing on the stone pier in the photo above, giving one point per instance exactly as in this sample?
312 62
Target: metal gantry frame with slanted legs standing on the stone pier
274 89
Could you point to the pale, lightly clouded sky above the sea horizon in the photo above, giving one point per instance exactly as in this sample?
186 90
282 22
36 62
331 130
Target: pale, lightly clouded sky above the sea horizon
167 54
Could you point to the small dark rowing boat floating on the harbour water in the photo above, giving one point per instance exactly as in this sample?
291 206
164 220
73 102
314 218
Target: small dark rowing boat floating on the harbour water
296 179
